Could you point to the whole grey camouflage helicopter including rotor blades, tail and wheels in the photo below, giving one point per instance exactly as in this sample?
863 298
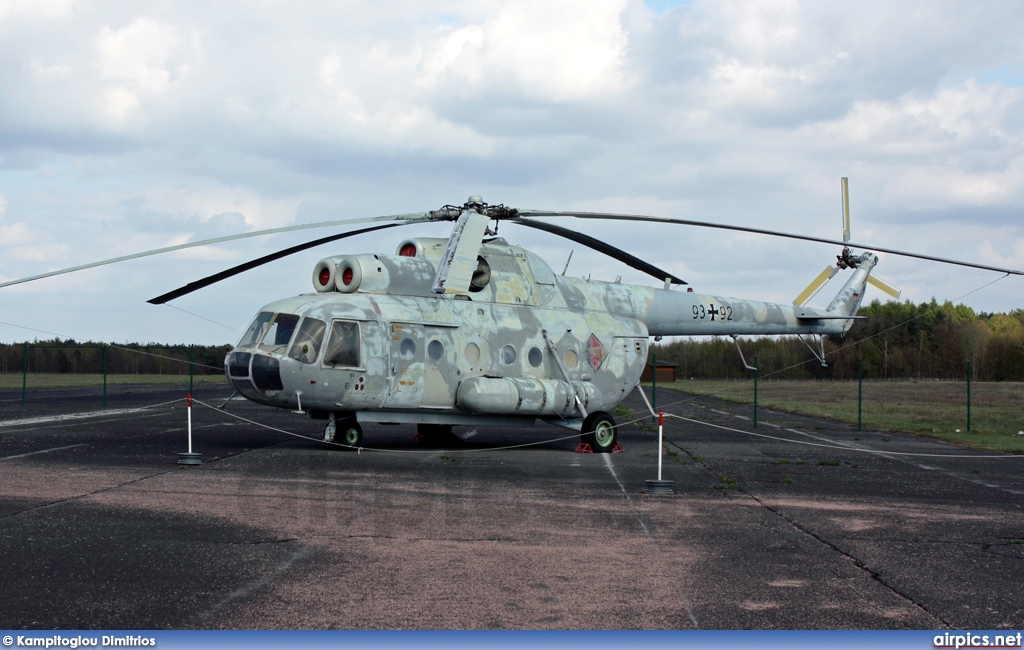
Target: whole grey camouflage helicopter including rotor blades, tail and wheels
475 331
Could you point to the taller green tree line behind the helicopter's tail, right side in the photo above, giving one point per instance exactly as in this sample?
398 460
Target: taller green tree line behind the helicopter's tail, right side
895 341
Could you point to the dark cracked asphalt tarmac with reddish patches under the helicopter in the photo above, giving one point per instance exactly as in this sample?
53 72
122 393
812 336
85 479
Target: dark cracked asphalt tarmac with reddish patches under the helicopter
797 525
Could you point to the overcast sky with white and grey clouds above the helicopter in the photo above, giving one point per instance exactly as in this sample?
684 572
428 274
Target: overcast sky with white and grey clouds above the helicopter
126 126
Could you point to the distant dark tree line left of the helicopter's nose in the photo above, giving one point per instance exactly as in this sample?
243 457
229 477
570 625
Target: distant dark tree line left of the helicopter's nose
131 359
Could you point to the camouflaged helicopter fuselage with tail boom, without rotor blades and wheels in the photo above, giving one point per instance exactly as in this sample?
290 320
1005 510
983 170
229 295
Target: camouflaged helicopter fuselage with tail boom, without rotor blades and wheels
376 344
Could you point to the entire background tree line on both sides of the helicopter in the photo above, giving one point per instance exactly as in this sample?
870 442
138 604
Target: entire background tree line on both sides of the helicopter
894 341
